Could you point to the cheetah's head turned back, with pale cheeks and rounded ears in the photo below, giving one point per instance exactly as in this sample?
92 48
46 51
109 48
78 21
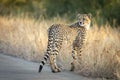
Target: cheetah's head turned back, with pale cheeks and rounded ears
84 20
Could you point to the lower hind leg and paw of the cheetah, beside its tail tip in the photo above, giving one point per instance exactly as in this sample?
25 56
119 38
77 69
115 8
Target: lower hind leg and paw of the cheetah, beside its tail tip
53 64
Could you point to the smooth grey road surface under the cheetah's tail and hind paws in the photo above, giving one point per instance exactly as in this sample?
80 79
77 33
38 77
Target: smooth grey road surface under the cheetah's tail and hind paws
17 69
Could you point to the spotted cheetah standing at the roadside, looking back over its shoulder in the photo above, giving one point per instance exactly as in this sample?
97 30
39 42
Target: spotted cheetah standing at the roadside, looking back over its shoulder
56 35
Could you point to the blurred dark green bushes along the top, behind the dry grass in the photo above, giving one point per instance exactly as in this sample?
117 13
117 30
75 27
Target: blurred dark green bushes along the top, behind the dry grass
108 10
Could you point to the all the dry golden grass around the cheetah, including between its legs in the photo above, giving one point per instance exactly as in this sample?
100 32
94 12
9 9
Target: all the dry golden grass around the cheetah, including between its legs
26 38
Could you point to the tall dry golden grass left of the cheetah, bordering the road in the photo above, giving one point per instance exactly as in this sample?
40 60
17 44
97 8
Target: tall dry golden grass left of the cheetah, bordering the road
23 37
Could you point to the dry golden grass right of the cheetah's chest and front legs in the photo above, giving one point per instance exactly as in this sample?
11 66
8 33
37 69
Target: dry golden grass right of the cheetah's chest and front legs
101 53
